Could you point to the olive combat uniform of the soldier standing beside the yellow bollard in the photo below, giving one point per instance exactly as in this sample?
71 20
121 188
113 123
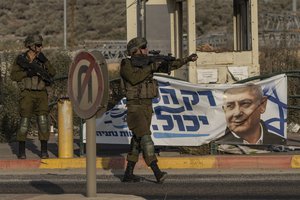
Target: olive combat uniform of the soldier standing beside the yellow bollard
33 99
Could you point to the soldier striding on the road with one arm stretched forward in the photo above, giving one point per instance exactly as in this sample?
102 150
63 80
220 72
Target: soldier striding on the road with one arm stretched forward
140 89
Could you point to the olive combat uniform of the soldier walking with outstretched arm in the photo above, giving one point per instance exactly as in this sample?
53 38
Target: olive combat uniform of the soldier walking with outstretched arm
141 88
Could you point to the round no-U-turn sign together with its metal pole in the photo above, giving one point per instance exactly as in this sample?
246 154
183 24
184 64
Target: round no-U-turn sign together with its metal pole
90 80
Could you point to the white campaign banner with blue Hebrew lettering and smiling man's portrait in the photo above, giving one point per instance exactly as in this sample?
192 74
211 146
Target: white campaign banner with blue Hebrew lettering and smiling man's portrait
187 114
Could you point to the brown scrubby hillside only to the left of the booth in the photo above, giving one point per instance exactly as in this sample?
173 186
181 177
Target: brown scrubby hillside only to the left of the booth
92 19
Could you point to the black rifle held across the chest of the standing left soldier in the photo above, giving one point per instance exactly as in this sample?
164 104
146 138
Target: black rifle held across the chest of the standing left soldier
35 68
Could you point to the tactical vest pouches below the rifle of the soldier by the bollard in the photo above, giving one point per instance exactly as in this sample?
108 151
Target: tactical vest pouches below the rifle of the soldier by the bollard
33 83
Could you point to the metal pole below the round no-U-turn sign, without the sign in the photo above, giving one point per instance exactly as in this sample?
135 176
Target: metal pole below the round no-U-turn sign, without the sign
91 156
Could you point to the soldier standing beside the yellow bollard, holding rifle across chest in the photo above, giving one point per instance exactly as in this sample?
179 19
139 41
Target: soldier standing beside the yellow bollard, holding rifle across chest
33 73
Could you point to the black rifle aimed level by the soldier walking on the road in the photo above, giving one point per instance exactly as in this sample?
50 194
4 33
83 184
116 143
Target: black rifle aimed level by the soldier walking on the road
154 57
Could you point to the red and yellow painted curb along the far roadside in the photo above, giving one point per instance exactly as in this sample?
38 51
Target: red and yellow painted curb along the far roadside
191 162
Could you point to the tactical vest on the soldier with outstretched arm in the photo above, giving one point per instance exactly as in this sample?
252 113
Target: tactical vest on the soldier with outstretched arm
148 89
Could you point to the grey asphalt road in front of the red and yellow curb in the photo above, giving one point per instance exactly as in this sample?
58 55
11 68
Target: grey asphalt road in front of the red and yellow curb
202 180
